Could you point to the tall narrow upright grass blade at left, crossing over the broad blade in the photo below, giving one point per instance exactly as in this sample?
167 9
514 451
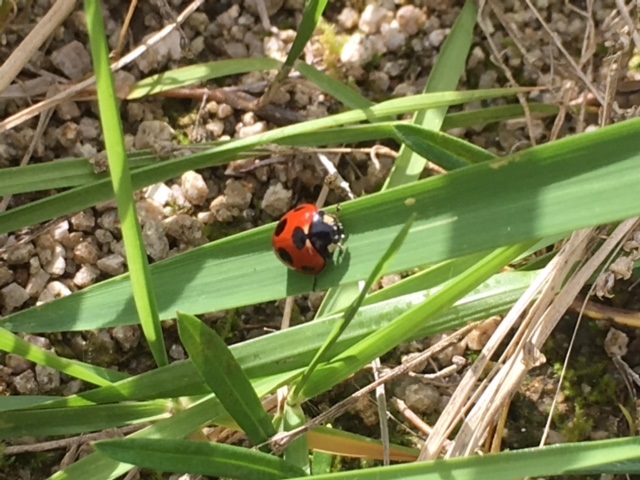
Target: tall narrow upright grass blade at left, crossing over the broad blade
143 293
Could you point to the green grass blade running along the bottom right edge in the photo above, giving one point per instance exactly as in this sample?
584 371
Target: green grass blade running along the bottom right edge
555 460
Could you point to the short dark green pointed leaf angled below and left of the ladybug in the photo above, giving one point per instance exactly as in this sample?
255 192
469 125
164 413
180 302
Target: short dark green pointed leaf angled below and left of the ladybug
225 377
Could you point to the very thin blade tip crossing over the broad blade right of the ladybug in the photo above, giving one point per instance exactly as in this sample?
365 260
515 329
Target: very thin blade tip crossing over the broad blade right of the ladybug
383 263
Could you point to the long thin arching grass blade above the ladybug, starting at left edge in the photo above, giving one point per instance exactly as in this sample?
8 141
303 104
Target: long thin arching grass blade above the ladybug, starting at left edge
89 195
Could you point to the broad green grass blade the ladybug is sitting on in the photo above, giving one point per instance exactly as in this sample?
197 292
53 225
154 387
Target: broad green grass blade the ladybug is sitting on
544 191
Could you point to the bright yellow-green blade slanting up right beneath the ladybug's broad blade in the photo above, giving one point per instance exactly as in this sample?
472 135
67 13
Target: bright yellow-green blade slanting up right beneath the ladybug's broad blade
394 333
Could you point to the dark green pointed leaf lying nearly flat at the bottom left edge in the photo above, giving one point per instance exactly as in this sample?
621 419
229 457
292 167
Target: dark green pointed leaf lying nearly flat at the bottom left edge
203 458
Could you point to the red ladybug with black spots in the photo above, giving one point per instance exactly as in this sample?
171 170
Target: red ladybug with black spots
305 238
